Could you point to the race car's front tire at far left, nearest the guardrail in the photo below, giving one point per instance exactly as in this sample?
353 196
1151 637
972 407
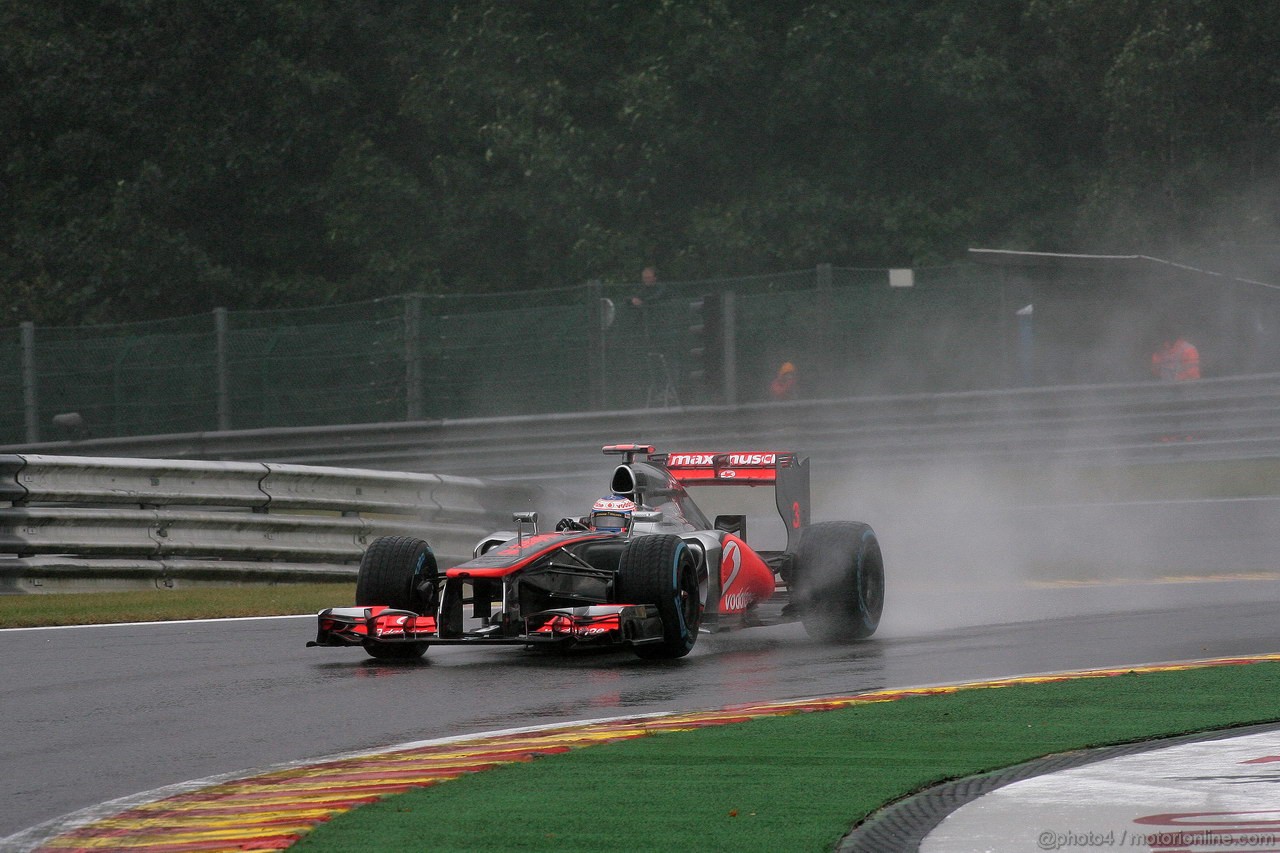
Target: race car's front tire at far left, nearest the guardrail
401 573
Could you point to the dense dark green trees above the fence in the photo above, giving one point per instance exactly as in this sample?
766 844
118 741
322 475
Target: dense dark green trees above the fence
168 157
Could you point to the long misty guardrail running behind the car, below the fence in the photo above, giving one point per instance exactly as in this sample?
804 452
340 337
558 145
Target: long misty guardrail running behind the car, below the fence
1212 419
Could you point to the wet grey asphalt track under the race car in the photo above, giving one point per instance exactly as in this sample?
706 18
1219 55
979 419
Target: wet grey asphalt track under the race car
94 714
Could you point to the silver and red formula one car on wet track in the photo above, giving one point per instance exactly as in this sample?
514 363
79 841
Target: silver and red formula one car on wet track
652 581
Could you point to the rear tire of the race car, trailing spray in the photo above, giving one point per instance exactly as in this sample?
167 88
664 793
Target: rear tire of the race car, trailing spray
839 581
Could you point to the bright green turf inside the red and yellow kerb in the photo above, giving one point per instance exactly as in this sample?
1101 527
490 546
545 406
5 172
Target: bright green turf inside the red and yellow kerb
794 783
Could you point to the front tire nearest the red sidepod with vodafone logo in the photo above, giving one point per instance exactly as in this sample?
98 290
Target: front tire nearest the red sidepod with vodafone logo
661 571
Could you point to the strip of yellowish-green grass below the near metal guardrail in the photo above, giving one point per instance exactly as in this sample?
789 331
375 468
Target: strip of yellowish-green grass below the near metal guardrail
159 605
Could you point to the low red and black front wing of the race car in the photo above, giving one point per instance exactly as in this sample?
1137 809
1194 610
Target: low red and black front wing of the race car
597 624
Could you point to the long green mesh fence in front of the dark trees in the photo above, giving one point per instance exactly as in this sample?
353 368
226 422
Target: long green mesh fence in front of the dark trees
610 346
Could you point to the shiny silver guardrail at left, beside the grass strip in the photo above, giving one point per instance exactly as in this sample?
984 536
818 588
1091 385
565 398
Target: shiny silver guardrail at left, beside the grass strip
76 521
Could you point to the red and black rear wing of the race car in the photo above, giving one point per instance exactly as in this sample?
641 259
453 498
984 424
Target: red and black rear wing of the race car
787 472
